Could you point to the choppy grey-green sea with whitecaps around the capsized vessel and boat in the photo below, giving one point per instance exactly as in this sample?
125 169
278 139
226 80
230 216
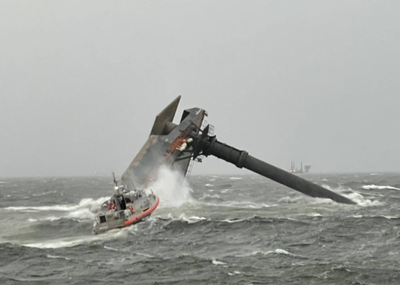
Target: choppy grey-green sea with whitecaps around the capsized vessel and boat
216 230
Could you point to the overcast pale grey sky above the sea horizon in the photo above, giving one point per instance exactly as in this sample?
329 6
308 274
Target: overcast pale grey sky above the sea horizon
314 81
